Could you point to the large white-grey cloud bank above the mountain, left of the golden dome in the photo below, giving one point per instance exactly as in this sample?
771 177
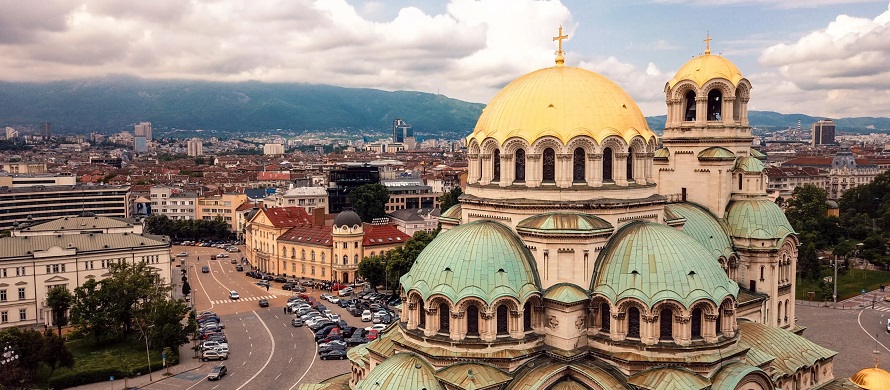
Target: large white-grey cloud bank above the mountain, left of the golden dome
467 51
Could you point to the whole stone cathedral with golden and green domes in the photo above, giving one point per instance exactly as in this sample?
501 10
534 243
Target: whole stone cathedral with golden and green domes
587 253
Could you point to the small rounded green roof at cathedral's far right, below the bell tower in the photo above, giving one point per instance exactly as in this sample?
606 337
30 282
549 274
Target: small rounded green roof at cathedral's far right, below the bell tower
757 218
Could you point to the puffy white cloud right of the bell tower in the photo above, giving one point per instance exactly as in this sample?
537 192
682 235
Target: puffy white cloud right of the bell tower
841 69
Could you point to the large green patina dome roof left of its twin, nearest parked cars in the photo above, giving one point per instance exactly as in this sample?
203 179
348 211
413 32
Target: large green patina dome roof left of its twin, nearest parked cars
482 259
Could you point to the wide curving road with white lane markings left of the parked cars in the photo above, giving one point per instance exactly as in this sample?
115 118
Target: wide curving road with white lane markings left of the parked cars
266 351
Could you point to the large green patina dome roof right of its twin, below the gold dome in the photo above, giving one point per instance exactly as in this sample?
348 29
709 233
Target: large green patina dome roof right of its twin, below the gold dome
653 263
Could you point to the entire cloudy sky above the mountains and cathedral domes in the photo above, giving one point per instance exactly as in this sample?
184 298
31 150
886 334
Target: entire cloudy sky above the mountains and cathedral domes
828 58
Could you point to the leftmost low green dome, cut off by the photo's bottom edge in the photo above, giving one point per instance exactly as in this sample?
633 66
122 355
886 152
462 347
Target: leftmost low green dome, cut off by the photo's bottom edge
401 371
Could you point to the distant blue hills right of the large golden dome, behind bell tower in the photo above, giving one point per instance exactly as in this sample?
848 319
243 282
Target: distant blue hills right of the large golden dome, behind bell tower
775 120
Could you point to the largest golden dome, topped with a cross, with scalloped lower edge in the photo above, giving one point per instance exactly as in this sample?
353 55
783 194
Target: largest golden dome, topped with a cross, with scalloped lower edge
562 102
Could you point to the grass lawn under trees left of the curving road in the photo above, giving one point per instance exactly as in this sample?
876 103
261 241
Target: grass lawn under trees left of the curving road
126 357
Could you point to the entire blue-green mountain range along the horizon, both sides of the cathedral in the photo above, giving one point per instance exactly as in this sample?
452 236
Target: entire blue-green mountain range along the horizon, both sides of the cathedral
115 103
